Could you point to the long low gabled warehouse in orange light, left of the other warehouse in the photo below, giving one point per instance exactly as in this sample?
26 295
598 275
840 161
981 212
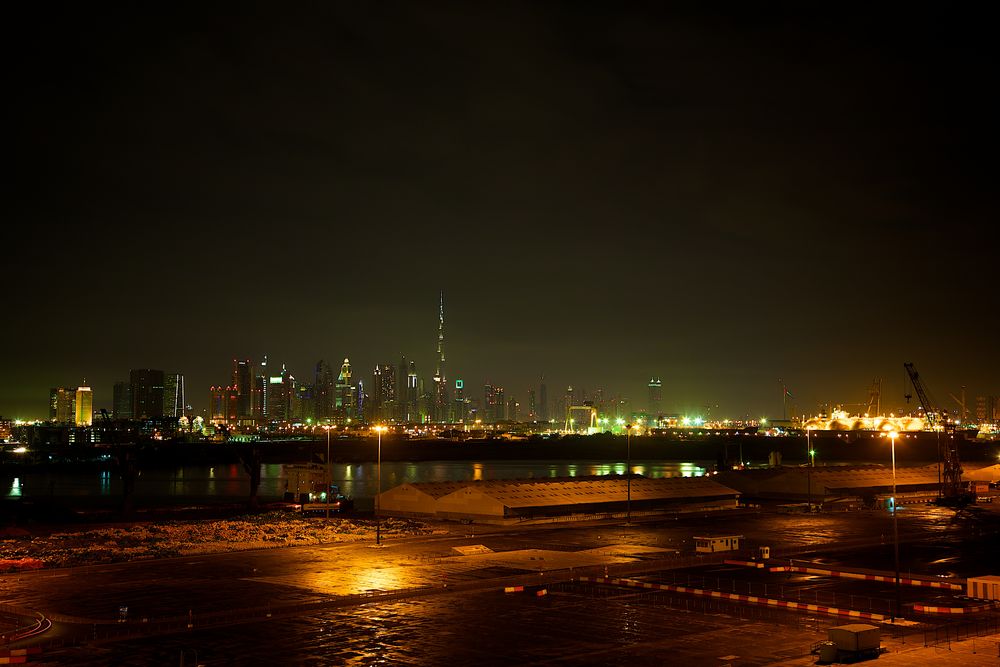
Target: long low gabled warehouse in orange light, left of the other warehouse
518 499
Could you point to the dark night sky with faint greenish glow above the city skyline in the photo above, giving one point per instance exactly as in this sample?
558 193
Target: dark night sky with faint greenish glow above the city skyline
604 191
